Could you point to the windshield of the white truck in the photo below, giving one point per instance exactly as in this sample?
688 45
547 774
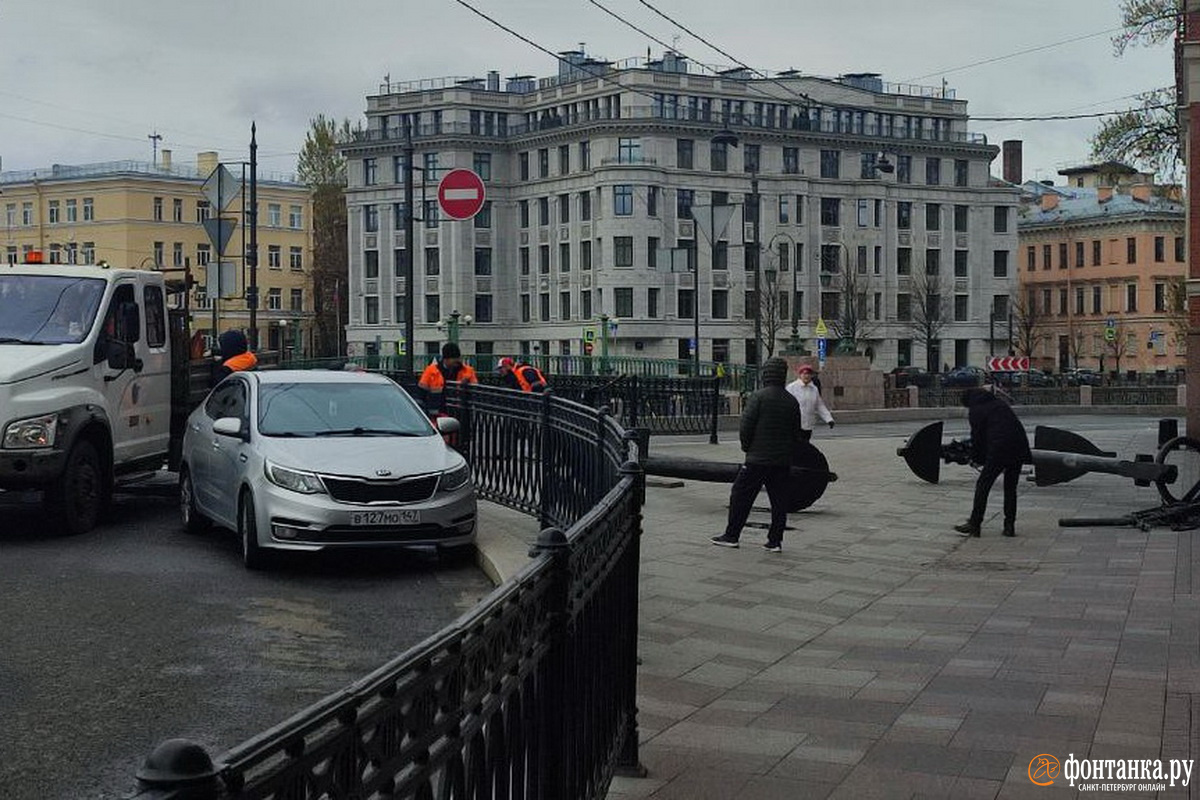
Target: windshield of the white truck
47 310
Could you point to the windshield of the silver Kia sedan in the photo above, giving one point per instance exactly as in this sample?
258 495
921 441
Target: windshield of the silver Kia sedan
338 410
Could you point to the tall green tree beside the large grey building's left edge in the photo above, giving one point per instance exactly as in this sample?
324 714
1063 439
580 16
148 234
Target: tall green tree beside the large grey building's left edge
322 169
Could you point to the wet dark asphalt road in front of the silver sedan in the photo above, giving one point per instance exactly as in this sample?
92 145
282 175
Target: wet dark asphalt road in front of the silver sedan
136 633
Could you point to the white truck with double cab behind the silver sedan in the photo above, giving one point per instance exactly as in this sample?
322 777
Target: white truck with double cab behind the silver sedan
89 392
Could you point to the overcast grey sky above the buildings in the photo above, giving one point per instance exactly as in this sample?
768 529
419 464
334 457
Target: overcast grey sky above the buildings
85 81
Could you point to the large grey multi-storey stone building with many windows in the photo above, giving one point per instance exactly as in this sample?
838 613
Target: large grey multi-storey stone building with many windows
875 213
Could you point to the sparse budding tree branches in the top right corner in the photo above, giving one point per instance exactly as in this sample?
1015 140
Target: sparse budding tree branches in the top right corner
1147 135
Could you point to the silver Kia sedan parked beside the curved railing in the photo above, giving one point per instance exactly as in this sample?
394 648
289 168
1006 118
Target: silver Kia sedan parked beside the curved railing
314 460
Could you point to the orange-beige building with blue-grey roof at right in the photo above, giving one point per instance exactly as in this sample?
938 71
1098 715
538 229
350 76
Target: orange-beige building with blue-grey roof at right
1102 260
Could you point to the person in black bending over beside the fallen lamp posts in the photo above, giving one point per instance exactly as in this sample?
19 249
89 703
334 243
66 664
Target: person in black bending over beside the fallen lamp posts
998 442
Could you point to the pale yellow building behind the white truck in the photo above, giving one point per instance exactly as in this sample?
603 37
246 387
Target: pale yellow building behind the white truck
152 216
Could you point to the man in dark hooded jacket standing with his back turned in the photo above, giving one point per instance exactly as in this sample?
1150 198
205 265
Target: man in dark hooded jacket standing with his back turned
770 432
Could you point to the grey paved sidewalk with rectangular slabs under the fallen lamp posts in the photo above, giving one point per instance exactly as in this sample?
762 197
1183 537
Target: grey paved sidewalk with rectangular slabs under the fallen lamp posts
884 657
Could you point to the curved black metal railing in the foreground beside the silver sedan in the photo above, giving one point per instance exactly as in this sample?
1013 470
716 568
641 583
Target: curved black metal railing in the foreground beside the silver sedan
530 695
